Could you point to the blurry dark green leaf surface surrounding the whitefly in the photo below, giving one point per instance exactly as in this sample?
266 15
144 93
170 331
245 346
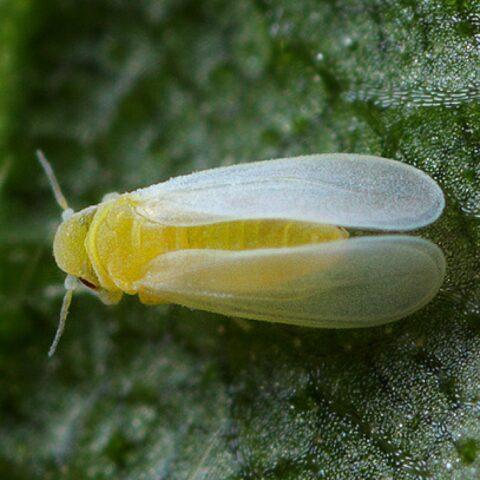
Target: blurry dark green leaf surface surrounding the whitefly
123 94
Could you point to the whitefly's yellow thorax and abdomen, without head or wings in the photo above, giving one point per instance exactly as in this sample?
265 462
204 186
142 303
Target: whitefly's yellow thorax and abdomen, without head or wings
120 243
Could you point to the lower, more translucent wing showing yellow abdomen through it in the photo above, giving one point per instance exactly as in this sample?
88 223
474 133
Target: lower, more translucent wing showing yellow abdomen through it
359 282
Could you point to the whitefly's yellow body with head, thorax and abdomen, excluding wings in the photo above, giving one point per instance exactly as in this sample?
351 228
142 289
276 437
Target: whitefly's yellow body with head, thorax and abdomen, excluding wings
111 246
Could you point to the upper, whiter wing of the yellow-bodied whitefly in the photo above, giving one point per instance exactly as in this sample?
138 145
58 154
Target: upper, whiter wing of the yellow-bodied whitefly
339 189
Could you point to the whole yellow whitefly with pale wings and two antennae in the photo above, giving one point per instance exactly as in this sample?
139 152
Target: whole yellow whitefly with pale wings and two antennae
265 240
